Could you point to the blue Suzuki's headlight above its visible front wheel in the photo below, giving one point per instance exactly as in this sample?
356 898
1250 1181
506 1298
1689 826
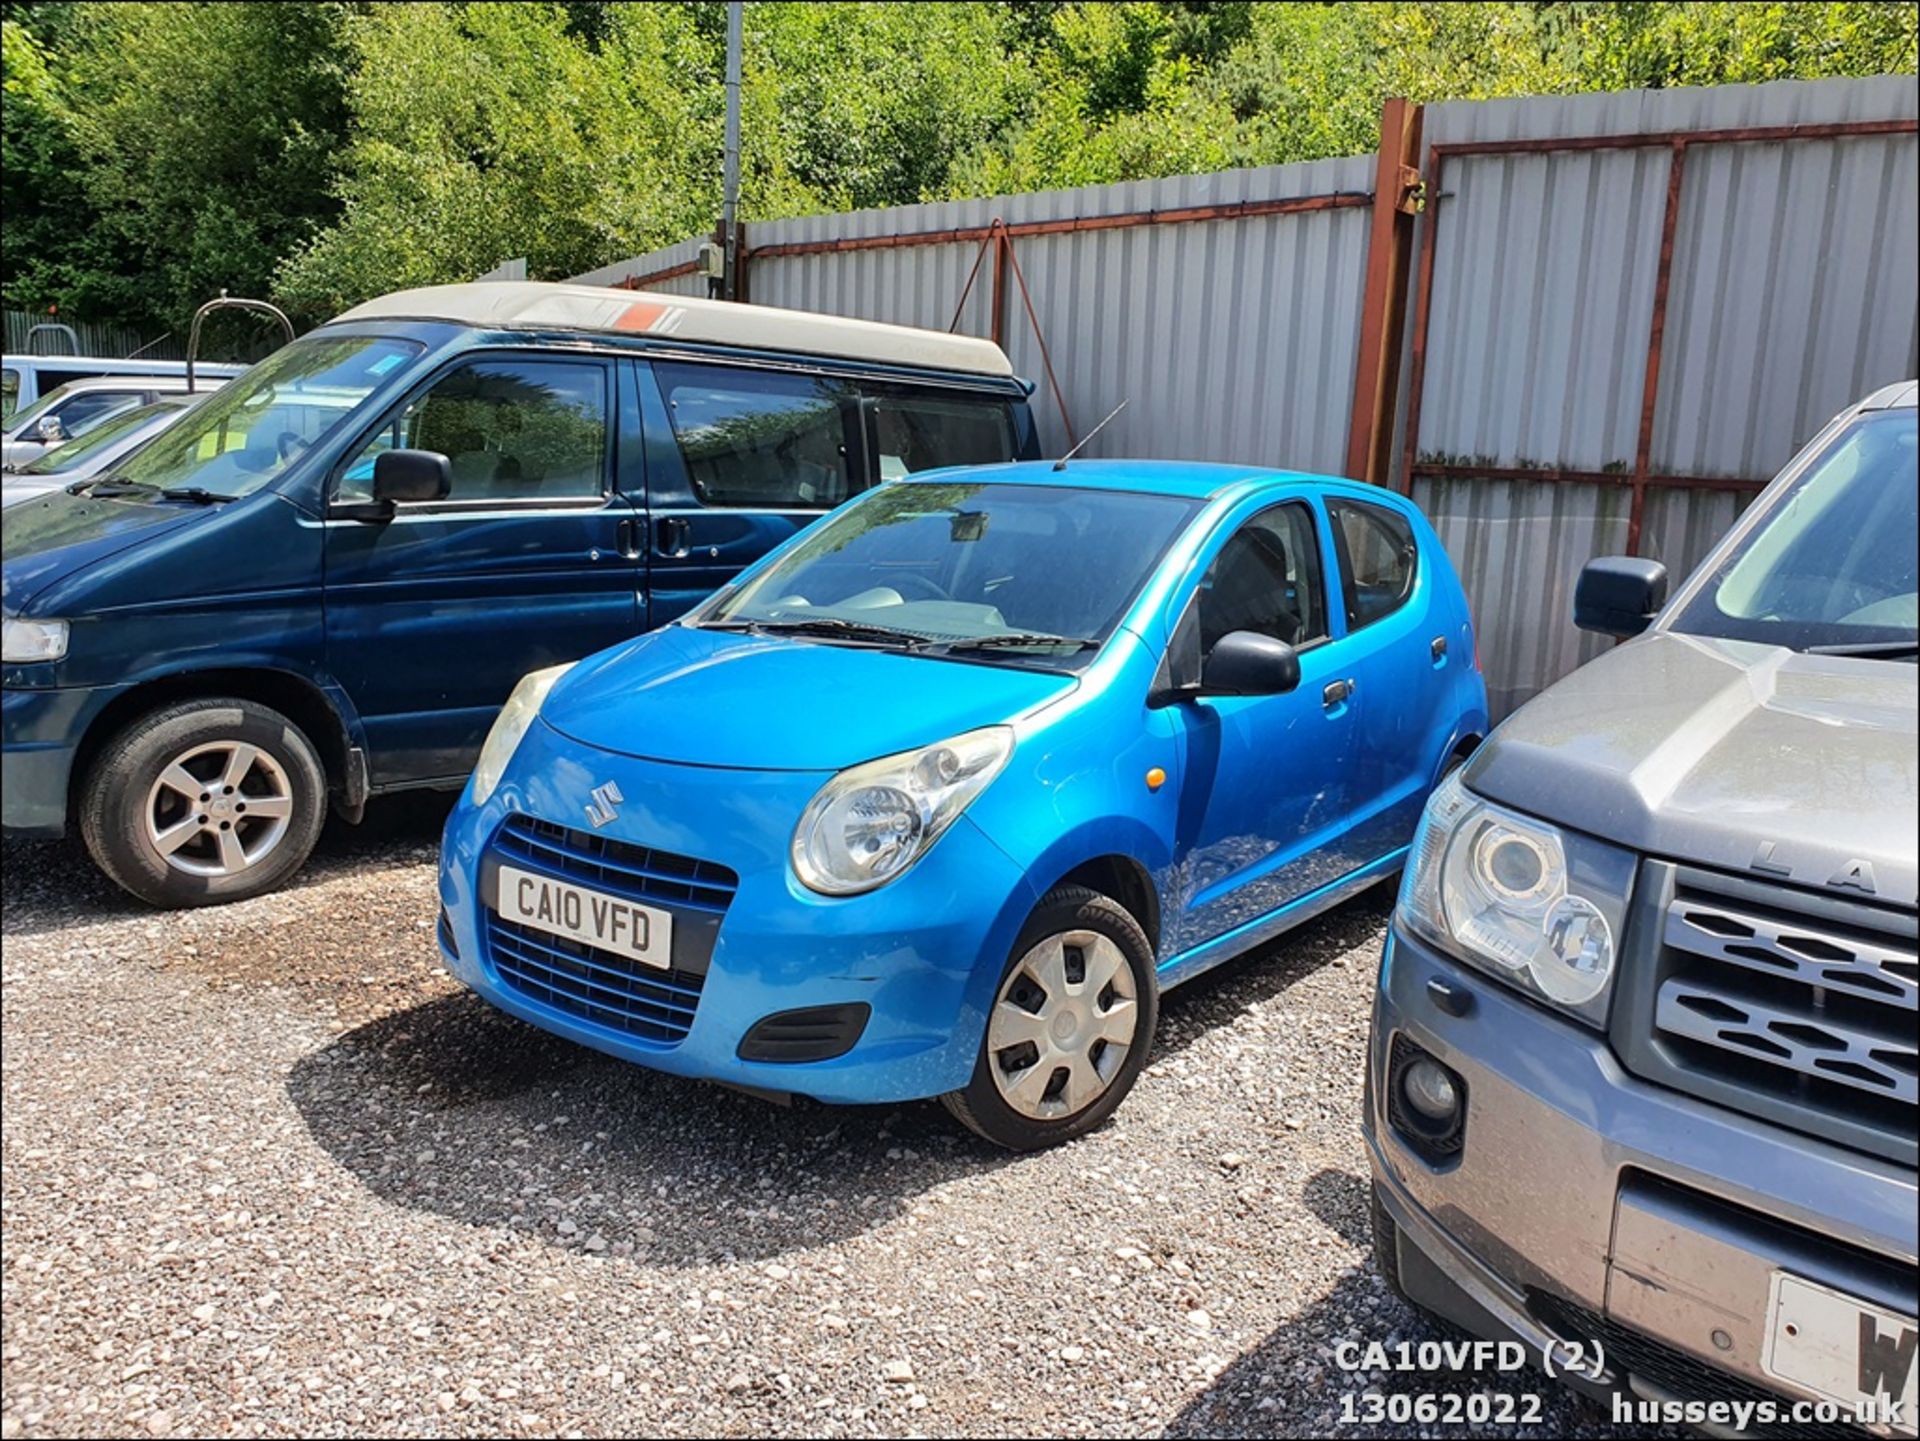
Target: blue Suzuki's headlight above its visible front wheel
873 822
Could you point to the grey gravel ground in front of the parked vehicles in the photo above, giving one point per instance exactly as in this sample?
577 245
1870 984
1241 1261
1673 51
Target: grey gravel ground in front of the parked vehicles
268 1171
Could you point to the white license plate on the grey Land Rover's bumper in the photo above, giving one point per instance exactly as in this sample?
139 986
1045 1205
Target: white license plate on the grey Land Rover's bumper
1846 1350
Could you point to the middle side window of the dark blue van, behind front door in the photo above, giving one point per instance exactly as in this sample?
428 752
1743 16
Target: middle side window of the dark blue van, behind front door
757 440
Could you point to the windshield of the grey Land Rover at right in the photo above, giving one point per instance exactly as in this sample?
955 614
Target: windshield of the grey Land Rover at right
1835 565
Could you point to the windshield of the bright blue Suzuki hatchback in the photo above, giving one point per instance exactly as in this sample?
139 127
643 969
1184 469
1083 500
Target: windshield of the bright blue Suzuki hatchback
1036 575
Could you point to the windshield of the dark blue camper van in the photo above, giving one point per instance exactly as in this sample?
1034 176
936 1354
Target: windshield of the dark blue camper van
252 429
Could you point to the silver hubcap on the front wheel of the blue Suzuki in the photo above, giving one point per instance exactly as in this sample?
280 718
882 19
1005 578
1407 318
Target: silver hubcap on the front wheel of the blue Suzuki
1063 1026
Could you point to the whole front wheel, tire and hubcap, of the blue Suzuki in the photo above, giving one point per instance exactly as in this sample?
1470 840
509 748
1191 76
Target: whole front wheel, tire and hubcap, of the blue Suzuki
1095 932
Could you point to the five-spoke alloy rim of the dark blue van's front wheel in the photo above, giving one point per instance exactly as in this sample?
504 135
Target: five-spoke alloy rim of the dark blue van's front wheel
220 809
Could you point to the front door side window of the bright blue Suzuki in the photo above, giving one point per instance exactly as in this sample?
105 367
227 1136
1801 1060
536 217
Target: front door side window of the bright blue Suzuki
1266 579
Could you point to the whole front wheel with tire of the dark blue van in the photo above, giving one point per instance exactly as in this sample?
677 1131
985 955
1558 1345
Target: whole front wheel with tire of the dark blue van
166 778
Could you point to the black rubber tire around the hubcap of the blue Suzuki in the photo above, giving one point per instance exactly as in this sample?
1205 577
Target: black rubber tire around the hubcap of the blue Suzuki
980 1106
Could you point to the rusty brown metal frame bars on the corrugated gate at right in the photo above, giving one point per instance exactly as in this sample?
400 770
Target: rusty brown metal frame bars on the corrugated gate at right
1643 477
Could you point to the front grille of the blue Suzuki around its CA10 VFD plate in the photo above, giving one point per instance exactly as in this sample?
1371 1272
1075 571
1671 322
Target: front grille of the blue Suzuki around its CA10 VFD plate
596 985
